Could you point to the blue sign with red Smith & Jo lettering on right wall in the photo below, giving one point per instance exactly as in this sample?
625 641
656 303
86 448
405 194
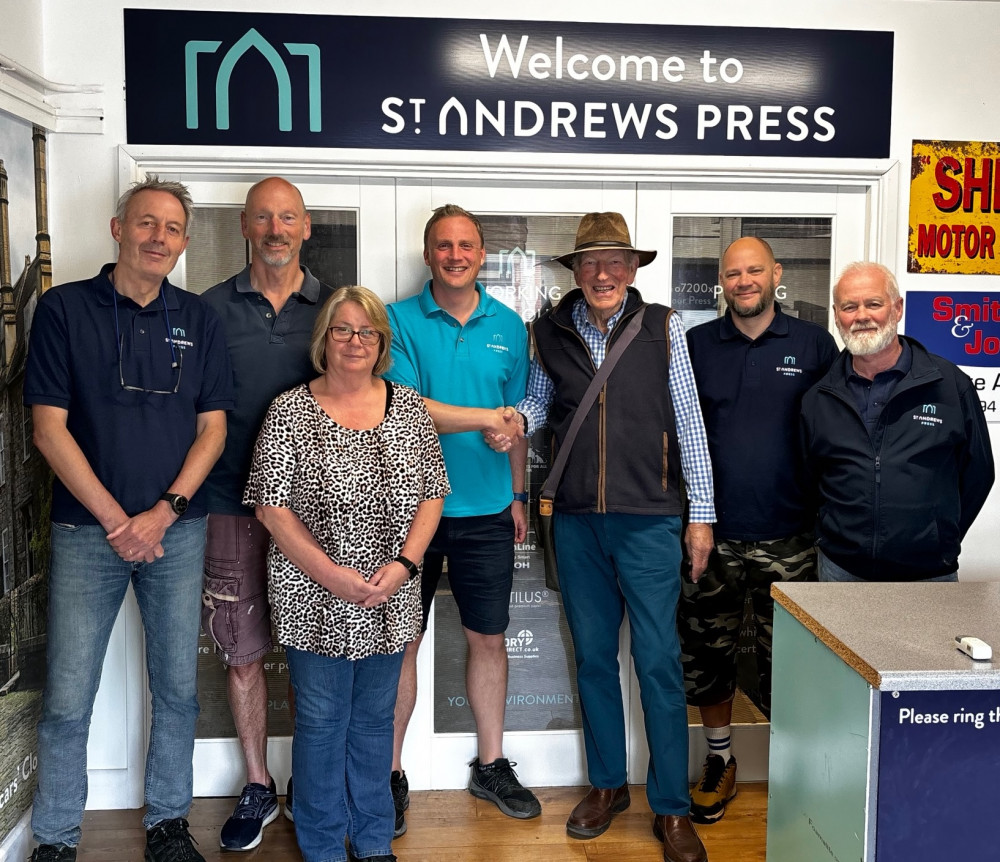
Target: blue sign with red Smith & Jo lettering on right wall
962 326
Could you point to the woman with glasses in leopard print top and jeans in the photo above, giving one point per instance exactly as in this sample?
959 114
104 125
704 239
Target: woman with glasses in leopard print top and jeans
348 477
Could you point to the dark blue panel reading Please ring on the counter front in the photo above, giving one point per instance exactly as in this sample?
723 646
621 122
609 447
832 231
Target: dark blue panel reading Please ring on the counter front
937 786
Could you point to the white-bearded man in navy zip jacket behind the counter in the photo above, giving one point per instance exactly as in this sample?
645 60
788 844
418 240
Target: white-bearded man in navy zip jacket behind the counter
896 443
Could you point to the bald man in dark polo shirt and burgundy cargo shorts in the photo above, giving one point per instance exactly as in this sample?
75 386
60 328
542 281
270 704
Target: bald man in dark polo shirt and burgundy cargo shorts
268 311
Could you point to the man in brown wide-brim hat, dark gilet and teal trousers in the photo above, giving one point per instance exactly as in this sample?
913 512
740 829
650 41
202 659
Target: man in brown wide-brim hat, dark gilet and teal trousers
617 518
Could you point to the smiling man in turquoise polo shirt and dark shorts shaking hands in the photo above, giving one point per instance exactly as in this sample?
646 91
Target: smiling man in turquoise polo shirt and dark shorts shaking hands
460 349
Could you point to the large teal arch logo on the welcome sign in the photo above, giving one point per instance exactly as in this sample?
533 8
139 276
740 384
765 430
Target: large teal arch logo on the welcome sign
252 40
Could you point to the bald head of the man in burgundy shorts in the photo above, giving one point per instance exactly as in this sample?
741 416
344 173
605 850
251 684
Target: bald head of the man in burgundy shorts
275 222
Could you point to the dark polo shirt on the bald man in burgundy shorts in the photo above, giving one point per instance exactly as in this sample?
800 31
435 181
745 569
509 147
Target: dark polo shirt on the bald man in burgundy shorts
269 354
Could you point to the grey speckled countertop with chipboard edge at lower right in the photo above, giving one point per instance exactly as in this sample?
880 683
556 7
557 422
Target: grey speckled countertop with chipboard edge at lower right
900 636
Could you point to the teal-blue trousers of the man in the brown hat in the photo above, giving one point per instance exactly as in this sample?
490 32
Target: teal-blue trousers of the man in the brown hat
610 564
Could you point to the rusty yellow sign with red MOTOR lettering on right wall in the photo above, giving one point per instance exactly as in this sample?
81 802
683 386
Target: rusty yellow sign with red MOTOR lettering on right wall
955 207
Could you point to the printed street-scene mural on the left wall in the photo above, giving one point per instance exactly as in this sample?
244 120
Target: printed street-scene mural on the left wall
25 480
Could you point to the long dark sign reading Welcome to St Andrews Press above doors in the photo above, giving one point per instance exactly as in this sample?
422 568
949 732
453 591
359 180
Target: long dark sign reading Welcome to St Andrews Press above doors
251 80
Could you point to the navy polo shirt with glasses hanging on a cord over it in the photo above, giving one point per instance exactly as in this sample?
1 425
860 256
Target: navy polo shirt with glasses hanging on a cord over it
134 441
